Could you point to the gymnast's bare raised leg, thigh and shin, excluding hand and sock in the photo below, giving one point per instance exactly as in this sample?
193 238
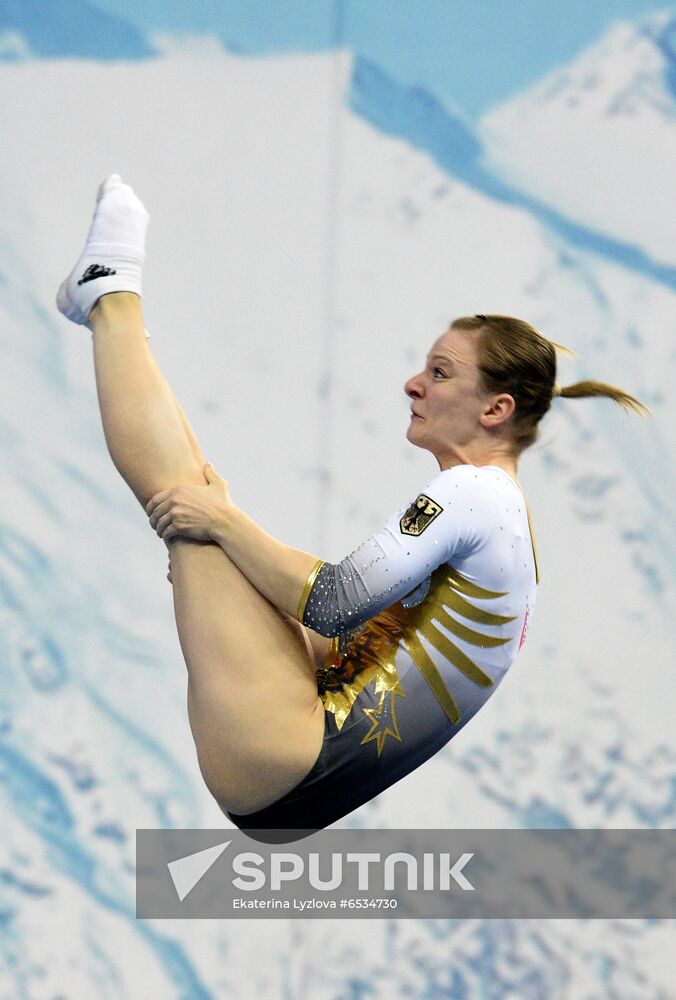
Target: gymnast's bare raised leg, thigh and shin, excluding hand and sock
254 710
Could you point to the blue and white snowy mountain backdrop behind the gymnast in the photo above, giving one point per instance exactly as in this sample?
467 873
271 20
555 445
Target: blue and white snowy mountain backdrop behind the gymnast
330 183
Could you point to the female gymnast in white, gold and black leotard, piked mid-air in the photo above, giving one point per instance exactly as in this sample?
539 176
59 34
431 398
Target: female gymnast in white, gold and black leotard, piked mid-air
313 686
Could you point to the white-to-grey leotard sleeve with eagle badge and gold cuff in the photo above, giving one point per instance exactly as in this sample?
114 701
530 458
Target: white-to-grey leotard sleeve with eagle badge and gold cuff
453 515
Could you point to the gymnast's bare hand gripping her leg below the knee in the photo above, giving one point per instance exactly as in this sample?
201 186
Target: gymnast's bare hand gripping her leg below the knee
191 511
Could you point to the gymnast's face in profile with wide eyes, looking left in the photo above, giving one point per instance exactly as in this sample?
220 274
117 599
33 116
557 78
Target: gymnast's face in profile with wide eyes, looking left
446 401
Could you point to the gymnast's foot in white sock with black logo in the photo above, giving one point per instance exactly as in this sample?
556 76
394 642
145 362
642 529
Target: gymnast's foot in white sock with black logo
113 255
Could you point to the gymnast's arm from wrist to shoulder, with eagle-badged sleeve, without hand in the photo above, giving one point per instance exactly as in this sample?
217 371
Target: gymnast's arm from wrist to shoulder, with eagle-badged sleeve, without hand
454 513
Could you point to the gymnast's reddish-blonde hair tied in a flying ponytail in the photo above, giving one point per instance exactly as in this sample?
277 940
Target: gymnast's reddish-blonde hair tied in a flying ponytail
514 357
